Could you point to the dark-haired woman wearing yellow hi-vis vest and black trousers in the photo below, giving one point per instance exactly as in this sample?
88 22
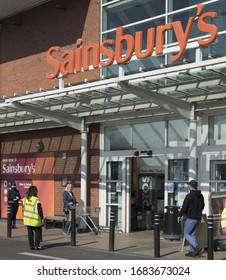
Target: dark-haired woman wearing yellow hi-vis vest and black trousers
33 217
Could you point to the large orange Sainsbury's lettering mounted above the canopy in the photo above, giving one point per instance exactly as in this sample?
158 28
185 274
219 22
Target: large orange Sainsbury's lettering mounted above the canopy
79 59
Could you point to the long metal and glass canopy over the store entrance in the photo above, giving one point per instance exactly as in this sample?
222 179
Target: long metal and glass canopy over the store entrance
165 93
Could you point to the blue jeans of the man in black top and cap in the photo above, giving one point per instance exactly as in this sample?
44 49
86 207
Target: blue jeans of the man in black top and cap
190 229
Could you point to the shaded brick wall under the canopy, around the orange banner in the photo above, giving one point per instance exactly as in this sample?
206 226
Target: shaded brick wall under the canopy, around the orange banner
62 140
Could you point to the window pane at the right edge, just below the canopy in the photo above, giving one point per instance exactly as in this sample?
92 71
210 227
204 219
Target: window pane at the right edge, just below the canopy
217 132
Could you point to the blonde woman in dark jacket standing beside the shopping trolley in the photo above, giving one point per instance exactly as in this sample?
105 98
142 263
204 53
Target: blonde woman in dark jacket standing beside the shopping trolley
69 201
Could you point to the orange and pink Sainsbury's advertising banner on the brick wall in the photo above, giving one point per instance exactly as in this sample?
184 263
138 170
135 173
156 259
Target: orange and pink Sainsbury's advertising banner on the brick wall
27 170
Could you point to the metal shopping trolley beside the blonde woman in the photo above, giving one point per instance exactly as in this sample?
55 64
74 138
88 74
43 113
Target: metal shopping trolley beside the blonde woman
83 214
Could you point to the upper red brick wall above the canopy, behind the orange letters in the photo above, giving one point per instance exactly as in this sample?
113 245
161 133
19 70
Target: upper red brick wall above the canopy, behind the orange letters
23 47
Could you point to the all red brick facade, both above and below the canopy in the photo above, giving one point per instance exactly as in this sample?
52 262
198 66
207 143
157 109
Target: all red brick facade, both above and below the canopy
23 68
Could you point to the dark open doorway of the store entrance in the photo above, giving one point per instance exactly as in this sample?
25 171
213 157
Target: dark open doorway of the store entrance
147 198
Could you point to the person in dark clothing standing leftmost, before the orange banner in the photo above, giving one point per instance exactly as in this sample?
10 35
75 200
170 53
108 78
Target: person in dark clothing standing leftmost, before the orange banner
13 197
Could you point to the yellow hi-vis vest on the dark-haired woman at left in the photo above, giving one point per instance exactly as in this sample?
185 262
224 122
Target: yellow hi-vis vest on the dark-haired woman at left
30 212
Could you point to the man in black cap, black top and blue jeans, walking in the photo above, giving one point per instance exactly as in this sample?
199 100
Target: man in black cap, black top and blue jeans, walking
192 207
